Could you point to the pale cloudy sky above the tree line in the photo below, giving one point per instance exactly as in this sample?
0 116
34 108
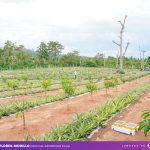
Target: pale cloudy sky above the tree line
88 26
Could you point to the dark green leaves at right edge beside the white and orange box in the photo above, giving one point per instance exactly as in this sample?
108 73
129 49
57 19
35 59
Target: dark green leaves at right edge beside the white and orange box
145 123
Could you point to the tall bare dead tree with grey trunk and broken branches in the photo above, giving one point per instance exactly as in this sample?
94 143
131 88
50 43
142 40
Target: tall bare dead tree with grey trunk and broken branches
120 44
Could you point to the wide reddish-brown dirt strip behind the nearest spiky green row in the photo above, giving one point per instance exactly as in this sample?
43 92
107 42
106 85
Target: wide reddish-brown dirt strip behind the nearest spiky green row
42 119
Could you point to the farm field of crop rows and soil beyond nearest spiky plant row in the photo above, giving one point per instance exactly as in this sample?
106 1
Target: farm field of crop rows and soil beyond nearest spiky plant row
44 111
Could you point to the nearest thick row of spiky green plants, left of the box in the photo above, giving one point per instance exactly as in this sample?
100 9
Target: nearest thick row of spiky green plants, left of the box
85 123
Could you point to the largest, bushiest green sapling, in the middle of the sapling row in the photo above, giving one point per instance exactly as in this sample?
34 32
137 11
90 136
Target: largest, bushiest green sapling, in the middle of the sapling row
68 88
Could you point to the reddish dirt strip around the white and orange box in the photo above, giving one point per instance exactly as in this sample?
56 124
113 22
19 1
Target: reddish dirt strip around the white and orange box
131 114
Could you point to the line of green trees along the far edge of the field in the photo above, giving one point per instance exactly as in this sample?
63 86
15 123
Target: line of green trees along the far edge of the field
14 56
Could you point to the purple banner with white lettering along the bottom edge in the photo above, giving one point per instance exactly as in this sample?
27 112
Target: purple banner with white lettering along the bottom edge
75 145
